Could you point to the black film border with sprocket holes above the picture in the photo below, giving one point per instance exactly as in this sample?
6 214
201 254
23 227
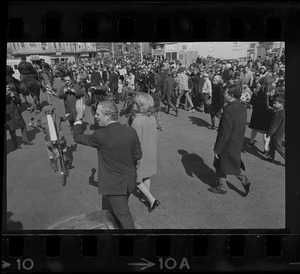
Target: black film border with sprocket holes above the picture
149 21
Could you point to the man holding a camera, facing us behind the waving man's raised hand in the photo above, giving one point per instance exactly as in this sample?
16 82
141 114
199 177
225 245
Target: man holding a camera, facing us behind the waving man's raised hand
70 92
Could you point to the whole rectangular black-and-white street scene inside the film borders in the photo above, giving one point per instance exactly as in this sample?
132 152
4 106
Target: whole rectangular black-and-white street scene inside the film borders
145 135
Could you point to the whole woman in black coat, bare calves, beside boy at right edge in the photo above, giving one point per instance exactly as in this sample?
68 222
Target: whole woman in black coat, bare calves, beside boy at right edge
261 115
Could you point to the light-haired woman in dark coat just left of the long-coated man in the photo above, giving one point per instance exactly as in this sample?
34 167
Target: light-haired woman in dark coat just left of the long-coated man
217 103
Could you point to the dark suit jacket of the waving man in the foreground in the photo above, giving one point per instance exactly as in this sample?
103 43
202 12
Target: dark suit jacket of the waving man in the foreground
119 150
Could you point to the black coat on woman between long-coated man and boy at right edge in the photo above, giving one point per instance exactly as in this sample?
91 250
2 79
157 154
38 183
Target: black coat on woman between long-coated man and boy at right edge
261 114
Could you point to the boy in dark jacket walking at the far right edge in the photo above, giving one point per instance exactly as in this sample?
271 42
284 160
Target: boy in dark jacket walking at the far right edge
276 130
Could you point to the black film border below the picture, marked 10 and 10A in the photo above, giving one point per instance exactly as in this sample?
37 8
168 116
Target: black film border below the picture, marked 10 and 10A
150 253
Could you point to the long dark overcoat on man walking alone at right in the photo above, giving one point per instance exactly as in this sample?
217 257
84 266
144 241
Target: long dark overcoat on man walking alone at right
230 138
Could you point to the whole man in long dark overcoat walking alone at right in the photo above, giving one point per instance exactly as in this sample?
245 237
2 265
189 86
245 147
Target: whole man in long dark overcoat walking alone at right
230 138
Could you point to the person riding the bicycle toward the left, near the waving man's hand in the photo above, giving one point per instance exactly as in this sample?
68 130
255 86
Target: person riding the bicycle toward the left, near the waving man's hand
43 124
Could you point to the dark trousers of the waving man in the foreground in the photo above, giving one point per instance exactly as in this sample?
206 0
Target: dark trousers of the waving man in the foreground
120 208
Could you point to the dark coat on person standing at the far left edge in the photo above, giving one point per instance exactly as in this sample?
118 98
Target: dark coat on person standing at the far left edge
13 118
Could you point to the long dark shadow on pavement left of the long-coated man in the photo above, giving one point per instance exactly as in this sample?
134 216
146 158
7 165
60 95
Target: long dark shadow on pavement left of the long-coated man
194 165
